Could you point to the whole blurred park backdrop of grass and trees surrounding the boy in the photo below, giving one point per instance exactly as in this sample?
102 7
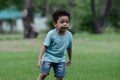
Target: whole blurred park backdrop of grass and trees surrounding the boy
95 25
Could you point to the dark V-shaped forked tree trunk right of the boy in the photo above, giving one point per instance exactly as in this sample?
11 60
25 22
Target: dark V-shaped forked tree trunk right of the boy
99 24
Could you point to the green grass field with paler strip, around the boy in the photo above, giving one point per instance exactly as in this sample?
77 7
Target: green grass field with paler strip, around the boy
95 57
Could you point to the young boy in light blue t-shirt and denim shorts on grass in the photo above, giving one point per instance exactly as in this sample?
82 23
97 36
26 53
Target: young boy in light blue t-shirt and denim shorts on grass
57 42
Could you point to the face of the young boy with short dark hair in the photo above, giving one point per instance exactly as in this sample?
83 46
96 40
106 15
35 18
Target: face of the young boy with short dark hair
62 23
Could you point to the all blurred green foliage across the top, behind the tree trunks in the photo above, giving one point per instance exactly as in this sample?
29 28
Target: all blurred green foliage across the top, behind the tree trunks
81 16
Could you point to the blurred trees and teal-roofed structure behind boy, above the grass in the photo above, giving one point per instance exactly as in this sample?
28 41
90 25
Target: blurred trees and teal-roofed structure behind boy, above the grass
31 17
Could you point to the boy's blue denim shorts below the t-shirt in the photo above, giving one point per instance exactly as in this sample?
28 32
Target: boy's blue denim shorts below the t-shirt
59 68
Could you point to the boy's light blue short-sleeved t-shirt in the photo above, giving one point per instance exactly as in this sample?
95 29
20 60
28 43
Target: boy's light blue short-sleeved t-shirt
56 46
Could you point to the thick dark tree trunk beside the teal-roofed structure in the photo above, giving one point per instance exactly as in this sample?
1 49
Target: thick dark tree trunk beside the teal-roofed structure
28 20
